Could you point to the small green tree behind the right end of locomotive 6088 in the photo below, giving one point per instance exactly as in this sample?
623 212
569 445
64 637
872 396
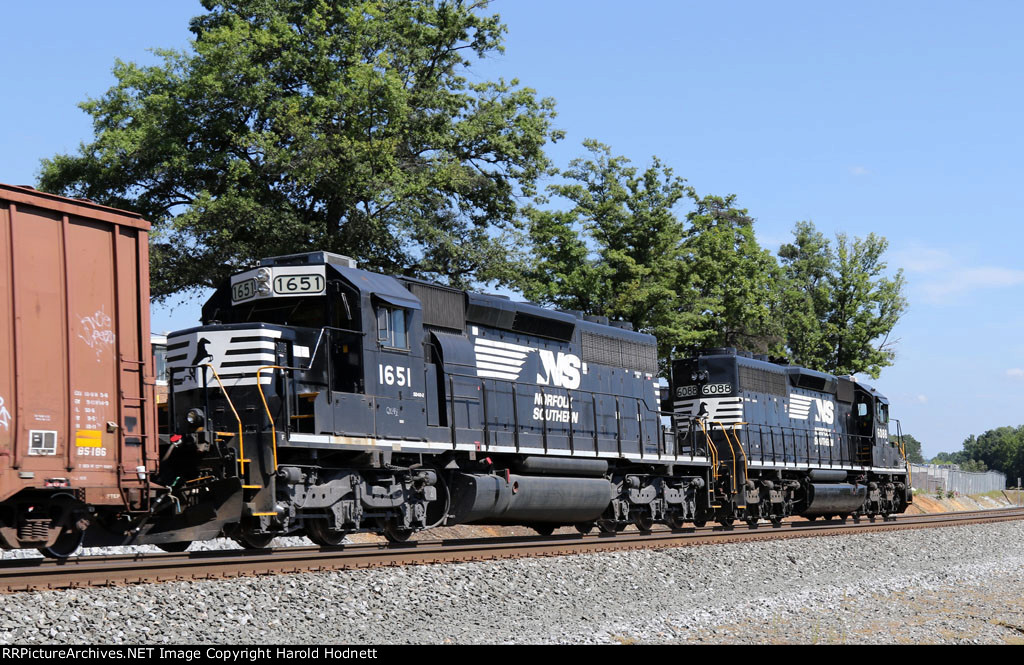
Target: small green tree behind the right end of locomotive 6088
840 307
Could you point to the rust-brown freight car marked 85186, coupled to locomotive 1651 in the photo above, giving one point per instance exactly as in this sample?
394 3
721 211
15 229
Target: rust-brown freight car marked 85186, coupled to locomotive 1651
78 436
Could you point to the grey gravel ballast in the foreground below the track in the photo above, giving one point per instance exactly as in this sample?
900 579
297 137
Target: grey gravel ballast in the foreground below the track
936 586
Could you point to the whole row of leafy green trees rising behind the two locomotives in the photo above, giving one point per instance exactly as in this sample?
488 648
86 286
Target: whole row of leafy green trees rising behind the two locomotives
352 127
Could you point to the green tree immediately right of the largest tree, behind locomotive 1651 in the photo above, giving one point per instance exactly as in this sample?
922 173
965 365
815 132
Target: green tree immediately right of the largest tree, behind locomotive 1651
616 252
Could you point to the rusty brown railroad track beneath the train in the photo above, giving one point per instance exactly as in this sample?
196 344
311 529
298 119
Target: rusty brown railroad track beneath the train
79 572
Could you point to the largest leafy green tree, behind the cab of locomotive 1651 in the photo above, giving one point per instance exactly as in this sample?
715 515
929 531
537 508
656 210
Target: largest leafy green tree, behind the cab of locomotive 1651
343 126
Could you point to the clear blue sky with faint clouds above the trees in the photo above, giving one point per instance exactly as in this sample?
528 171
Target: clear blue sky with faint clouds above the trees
903 119
